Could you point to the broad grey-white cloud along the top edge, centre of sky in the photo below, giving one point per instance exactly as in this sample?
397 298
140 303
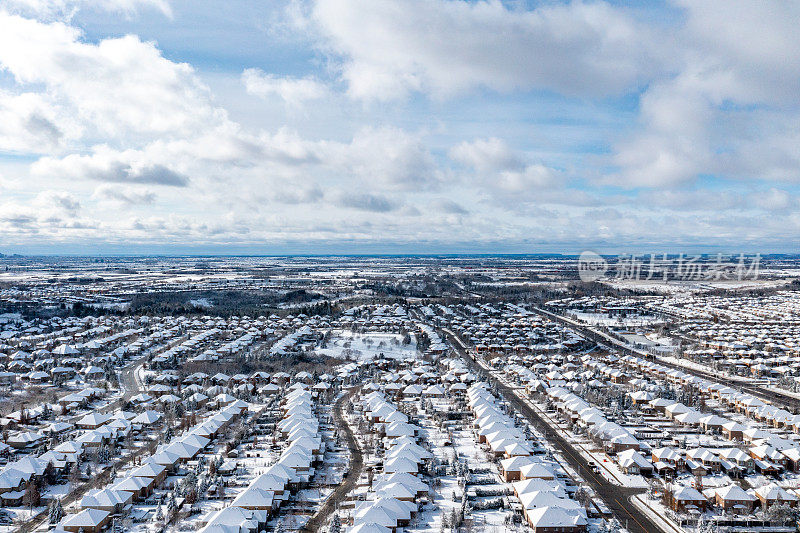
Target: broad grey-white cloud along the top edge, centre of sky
391 47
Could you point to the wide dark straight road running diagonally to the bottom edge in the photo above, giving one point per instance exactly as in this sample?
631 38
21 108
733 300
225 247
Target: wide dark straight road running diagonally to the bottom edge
614 496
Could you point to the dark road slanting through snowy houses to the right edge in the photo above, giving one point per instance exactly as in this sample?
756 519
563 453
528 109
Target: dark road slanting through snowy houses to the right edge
777 398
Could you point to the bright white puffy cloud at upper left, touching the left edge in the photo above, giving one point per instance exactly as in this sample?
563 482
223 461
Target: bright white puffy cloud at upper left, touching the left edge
119 88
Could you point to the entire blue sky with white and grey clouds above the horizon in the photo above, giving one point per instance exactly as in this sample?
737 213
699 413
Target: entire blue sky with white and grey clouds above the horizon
398 126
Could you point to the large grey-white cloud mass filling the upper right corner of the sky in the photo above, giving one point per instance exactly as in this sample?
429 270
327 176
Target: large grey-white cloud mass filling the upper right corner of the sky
729 109
